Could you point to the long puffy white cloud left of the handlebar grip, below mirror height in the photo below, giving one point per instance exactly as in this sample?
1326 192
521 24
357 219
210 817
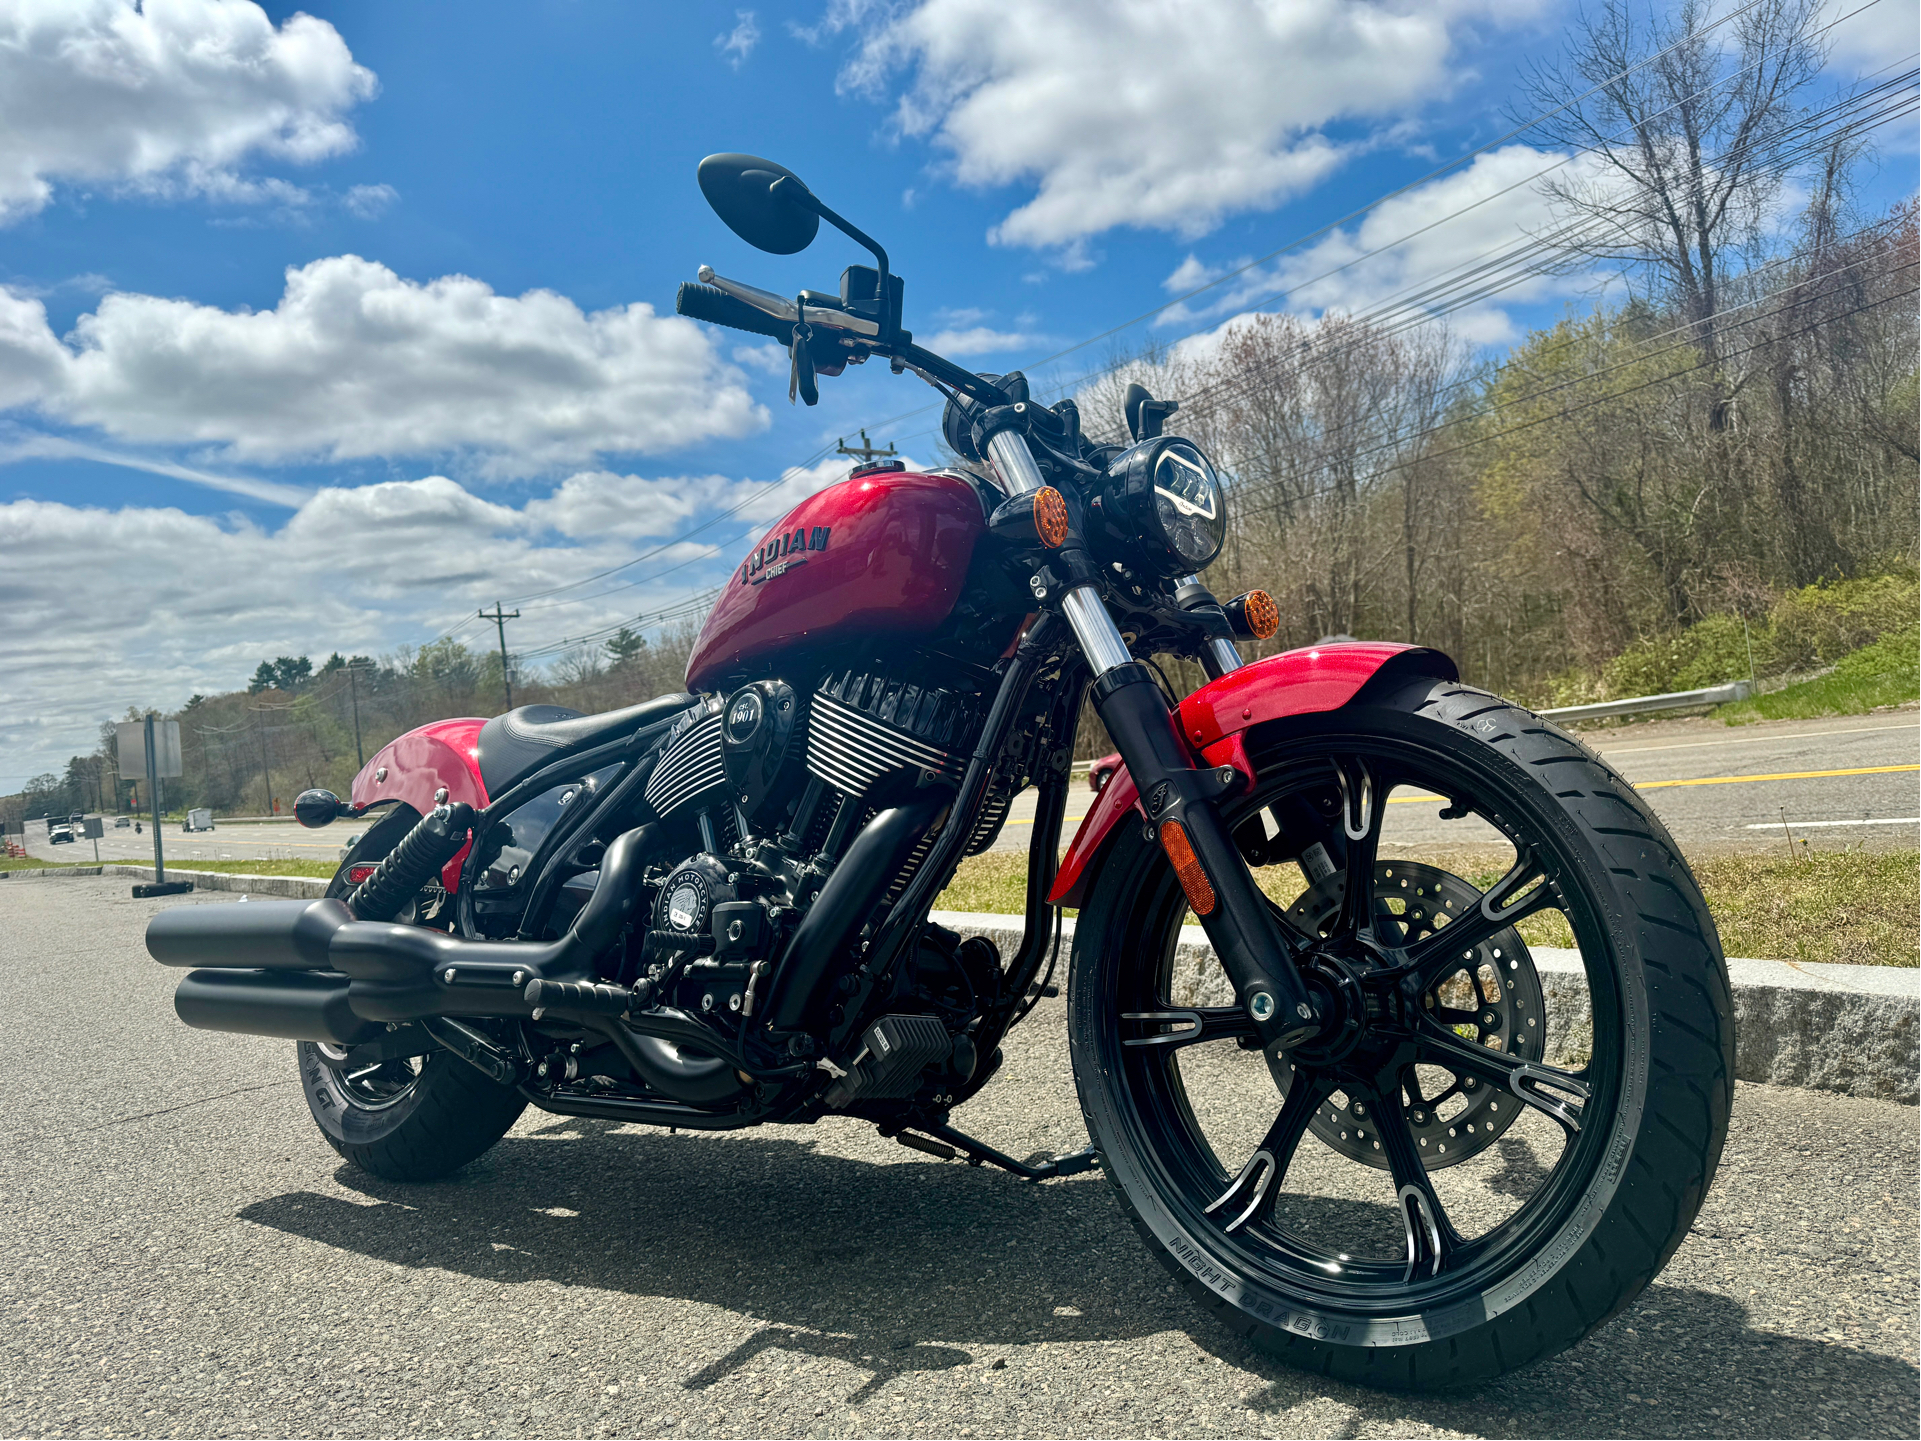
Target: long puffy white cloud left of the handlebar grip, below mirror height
358 362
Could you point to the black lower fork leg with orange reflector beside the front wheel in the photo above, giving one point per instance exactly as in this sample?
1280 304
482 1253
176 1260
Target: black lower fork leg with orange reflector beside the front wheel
1182 808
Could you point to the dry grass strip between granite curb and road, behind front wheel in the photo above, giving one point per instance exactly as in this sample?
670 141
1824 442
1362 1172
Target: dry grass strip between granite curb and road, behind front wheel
1859 908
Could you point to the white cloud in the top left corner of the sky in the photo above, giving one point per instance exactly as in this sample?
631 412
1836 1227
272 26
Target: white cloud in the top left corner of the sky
166 97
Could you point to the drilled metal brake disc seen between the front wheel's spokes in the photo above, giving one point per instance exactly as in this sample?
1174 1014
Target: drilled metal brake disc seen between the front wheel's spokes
1492 998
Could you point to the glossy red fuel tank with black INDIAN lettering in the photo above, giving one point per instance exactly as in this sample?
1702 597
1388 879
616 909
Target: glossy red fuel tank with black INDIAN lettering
879 554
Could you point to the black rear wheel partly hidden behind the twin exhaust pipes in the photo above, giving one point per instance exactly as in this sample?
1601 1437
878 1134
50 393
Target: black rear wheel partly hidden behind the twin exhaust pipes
404 1119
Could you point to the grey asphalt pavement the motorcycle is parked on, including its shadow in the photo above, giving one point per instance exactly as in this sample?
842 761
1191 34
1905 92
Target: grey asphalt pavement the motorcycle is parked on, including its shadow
187 1258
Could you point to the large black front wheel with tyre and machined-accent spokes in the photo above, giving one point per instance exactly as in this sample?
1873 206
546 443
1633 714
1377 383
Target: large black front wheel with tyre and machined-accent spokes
1484 1156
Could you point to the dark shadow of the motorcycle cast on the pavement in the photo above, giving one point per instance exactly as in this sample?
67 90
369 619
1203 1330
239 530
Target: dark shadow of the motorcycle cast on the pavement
902 1267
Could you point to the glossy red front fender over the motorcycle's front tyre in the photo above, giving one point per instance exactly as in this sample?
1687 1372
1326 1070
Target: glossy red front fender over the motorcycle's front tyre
1213 720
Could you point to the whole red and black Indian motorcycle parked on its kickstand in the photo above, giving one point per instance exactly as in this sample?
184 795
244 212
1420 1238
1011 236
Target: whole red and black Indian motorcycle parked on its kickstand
712 910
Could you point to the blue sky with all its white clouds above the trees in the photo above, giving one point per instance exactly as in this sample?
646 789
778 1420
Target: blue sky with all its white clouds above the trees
322 330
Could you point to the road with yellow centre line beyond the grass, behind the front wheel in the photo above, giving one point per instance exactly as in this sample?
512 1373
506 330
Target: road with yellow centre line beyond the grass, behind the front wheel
1716 787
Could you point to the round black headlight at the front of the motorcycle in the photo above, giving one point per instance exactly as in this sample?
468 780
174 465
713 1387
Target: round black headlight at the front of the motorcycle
1163 502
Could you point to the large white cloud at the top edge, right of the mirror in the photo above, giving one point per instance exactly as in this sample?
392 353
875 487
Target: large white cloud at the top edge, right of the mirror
1155 114
